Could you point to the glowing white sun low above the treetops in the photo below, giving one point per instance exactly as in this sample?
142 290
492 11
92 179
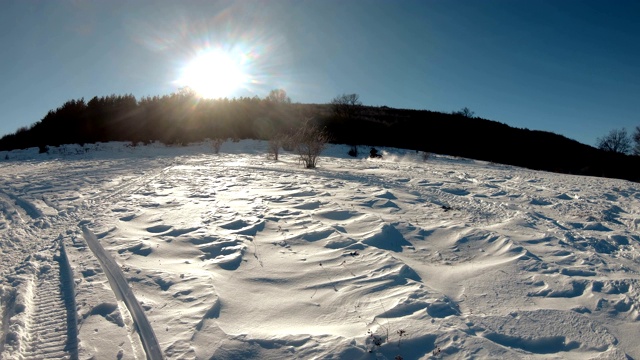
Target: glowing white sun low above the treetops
213 74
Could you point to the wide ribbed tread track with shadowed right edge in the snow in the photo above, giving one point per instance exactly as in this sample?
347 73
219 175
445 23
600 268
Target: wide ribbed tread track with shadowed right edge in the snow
51 322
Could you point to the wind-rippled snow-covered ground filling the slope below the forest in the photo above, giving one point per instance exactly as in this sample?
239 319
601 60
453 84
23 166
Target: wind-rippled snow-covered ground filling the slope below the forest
235 256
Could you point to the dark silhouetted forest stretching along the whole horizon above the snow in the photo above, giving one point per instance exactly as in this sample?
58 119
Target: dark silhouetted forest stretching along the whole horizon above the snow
181 118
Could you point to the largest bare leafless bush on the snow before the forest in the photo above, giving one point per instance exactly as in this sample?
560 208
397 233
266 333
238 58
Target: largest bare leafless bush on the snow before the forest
308 142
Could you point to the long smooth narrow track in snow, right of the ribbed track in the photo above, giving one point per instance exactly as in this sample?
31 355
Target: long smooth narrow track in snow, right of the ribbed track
120 286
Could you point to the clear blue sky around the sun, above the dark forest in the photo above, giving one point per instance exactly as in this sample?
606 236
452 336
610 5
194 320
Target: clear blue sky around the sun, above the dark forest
567 66
